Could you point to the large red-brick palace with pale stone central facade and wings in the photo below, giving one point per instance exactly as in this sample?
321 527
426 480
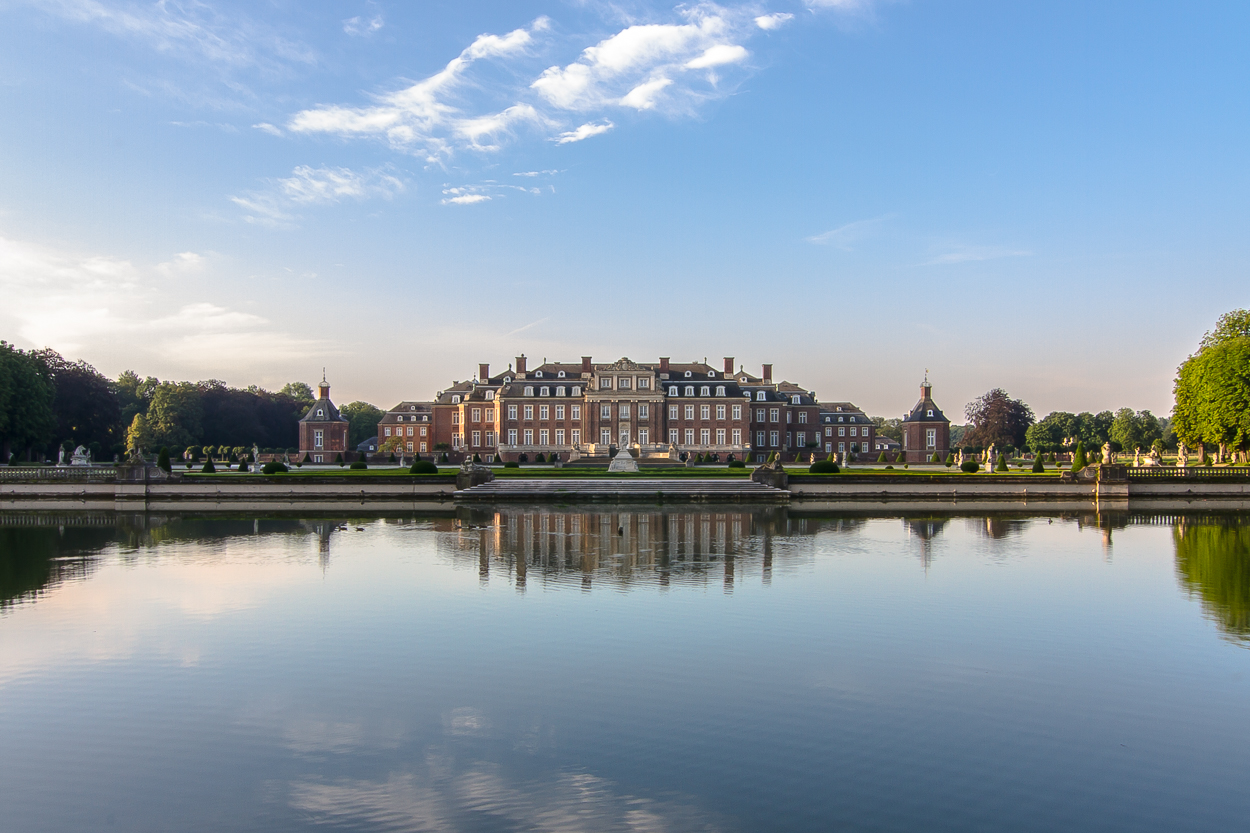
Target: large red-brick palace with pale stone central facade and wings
582 410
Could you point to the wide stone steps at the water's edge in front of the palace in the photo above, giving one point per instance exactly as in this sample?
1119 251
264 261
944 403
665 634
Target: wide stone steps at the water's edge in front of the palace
624 491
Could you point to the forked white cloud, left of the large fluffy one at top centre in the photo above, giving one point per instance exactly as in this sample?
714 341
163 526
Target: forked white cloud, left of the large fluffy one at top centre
426 117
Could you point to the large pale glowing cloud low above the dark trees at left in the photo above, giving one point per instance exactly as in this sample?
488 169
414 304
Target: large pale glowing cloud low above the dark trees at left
93 303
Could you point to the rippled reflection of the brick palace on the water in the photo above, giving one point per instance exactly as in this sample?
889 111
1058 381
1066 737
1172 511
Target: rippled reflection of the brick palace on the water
623 547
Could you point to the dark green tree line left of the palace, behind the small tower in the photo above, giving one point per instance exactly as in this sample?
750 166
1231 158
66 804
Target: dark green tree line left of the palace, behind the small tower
49 403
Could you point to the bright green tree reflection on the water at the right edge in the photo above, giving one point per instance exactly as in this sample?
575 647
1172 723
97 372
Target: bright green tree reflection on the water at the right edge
1213 561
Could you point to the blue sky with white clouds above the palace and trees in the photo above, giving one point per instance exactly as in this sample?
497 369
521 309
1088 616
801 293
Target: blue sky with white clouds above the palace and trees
1049 198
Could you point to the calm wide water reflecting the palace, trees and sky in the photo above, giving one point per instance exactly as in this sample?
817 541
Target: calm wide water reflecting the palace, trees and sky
679 669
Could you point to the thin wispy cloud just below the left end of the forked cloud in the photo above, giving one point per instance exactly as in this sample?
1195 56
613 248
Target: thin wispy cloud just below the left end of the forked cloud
311 186
